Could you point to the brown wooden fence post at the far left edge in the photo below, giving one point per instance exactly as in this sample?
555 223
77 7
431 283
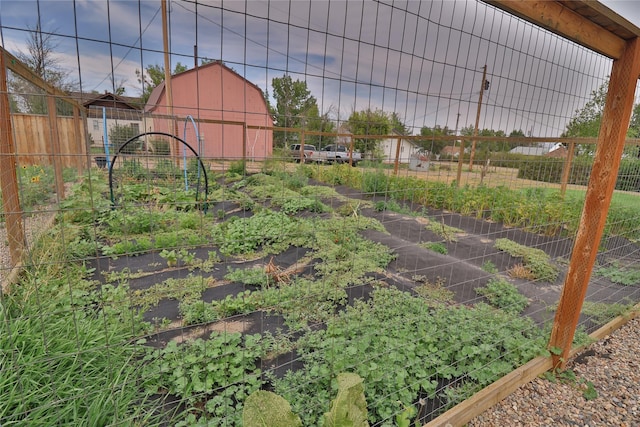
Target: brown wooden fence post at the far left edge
8 175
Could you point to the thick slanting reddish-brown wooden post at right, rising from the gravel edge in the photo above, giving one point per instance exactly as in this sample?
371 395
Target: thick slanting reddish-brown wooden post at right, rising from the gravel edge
604 173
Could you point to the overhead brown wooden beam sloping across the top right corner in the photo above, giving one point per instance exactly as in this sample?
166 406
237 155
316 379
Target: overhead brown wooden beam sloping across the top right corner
565 22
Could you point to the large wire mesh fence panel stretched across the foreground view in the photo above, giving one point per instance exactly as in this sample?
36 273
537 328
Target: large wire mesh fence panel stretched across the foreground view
369 206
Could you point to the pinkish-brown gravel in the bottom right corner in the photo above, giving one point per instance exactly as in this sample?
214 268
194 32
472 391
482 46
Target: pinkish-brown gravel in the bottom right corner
611 365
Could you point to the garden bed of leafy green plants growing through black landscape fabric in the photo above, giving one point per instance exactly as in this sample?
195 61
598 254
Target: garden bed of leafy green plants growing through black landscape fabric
281 282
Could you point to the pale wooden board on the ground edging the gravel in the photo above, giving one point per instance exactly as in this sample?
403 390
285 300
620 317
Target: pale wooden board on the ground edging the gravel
486 398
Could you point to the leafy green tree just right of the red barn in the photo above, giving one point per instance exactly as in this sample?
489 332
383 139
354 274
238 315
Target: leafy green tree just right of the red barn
295 107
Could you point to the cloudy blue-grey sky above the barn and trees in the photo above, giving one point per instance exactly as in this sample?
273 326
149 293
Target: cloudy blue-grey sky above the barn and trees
422 60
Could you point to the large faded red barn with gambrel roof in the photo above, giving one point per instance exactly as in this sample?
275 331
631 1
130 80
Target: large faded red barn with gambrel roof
214 93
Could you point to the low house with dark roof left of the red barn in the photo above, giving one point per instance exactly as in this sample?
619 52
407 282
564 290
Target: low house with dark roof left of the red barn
108 109
